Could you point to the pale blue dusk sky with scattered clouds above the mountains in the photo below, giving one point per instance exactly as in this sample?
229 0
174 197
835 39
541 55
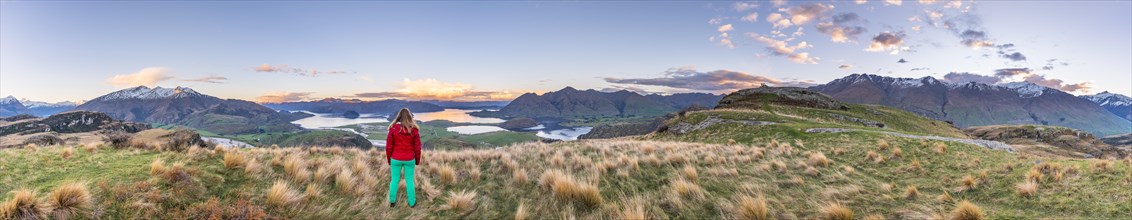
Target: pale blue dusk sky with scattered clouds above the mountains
273 52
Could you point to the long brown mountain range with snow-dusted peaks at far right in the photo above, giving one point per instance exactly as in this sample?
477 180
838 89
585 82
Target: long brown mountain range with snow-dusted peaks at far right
976 104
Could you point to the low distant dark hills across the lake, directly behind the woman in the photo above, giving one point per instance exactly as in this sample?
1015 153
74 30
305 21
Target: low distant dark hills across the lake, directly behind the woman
341 106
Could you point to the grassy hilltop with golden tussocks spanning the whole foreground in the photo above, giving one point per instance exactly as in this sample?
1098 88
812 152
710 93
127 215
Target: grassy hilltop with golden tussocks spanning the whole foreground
730 171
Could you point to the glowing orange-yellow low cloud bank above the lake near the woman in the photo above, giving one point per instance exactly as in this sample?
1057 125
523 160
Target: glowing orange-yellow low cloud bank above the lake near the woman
431 89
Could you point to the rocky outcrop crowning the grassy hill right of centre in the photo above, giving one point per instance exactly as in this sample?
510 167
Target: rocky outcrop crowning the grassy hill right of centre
797 97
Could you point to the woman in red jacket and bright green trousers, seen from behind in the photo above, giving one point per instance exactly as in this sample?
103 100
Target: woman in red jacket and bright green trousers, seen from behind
404 155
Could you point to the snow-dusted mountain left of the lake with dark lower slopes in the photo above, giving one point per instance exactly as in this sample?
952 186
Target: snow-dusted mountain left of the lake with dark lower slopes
183 106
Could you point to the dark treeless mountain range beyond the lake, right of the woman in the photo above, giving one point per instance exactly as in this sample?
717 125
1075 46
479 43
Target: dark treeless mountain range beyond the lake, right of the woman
570 103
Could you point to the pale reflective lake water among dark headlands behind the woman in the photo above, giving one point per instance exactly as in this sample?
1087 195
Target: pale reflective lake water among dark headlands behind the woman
546 130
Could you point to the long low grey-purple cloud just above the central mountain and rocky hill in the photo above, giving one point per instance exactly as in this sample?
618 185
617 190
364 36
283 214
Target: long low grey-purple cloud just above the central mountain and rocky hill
711 81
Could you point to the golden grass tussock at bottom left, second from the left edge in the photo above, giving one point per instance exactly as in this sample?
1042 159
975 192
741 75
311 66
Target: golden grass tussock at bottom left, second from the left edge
70 201
